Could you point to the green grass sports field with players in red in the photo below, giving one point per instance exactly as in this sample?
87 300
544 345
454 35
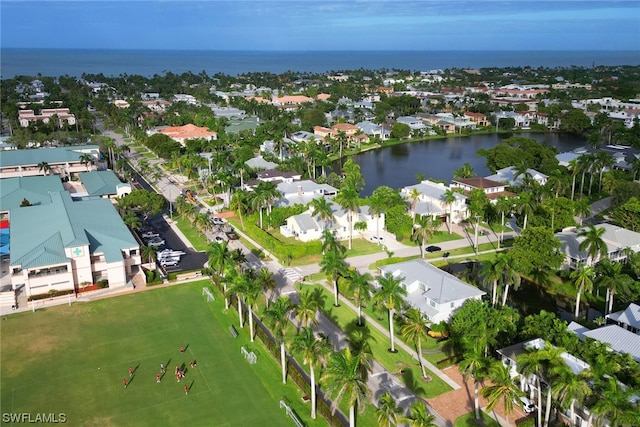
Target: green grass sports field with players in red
73 360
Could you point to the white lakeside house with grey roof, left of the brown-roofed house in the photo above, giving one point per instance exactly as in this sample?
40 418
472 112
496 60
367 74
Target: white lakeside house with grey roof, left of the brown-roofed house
431 201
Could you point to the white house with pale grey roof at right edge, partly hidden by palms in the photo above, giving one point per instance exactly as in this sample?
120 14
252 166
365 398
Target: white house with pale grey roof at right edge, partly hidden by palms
617 239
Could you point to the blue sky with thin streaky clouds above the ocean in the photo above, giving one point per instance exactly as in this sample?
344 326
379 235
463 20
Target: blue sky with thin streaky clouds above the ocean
305 25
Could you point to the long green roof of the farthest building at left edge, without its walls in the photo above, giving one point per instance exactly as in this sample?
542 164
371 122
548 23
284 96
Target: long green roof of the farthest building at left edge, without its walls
51 156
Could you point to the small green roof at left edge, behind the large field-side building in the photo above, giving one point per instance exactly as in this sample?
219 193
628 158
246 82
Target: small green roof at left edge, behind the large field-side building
35 189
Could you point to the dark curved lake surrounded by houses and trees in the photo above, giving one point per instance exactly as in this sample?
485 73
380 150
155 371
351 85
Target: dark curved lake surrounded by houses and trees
397 166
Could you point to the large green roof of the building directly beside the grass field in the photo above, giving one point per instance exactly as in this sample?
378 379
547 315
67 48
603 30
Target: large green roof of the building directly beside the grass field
93 222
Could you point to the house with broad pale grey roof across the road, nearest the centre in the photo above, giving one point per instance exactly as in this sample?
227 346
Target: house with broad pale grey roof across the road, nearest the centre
436 293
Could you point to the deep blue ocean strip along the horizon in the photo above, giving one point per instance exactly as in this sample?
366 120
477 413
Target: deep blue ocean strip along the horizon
75 62
